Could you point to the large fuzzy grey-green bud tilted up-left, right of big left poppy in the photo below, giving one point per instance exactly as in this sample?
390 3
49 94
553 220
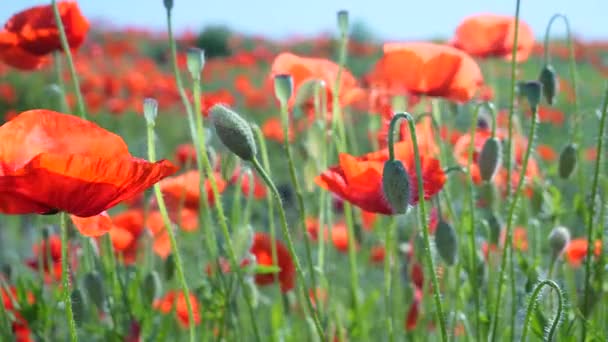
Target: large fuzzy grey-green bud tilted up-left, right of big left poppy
234 132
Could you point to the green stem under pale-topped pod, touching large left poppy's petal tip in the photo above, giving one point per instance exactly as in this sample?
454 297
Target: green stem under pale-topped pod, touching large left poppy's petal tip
169 228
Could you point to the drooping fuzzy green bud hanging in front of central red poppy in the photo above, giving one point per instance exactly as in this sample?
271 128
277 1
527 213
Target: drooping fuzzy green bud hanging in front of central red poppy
396 186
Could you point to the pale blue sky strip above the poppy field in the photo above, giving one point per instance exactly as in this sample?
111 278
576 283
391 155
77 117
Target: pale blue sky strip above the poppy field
391 20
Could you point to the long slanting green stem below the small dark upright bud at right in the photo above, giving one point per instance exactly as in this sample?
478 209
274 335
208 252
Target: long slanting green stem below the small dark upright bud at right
511 215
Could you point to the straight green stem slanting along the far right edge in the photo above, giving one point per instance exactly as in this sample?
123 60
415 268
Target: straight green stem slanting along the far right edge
592 209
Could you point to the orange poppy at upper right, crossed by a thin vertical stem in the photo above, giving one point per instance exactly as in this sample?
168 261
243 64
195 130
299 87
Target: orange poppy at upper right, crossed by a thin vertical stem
491 35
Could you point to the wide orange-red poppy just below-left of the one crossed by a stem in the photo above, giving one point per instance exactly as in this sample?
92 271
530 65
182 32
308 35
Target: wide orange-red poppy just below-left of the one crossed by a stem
427 69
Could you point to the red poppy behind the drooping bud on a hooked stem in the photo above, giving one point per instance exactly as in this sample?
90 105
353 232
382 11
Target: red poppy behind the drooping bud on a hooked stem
359 180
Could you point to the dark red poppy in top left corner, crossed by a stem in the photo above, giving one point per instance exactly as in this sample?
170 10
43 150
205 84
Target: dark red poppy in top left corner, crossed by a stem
36 32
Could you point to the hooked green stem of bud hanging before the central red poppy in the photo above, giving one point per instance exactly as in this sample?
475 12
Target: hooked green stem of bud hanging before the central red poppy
423 221
